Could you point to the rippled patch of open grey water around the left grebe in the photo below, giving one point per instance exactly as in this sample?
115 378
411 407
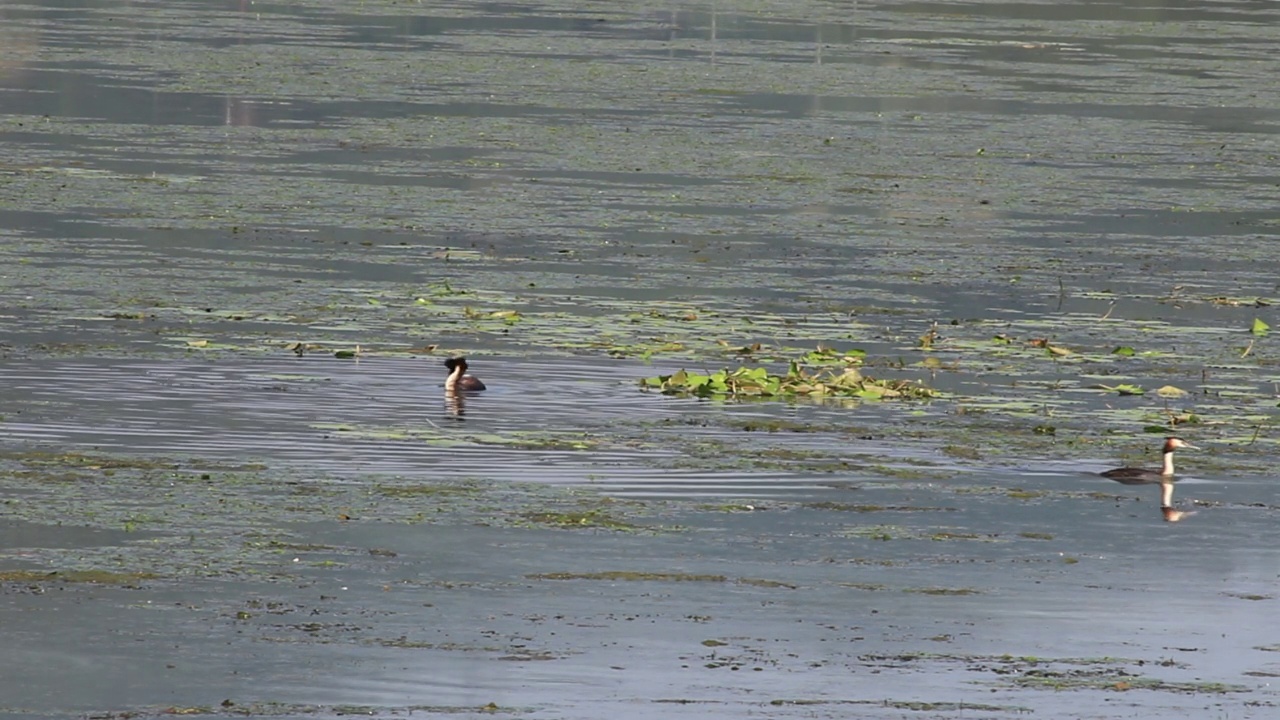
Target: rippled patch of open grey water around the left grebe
540 421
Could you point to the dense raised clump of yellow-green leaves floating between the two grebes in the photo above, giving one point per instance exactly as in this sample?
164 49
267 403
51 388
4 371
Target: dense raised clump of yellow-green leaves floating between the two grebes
845 381
